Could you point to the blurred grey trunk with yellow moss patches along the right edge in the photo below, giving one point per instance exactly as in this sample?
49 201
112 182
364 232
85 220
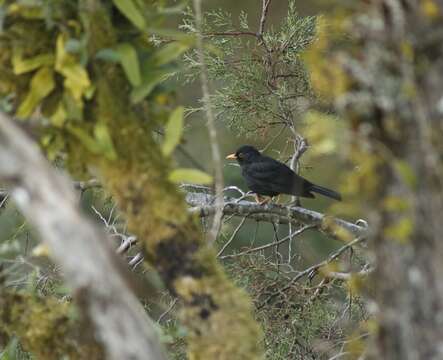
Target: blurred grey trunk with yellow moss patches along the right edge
393 104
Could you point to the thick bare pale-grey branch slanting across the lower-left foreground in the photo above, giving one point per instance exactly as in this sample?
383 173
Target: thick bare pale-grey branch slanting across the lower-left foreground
99 279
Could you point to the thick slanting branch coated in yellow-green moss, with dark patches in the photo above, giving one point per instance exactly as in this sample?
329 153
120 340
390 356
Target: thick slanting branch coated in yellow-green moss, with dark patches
217 314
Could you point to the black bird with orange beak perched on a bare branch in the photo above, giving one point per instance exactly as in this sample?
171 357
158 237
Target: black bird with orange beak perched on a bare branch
268 177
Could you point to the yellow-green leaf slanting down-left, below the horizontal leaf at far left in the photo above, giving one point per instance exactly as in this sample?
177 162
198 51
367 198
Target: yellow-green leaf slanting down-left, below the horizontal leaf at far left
42 84
